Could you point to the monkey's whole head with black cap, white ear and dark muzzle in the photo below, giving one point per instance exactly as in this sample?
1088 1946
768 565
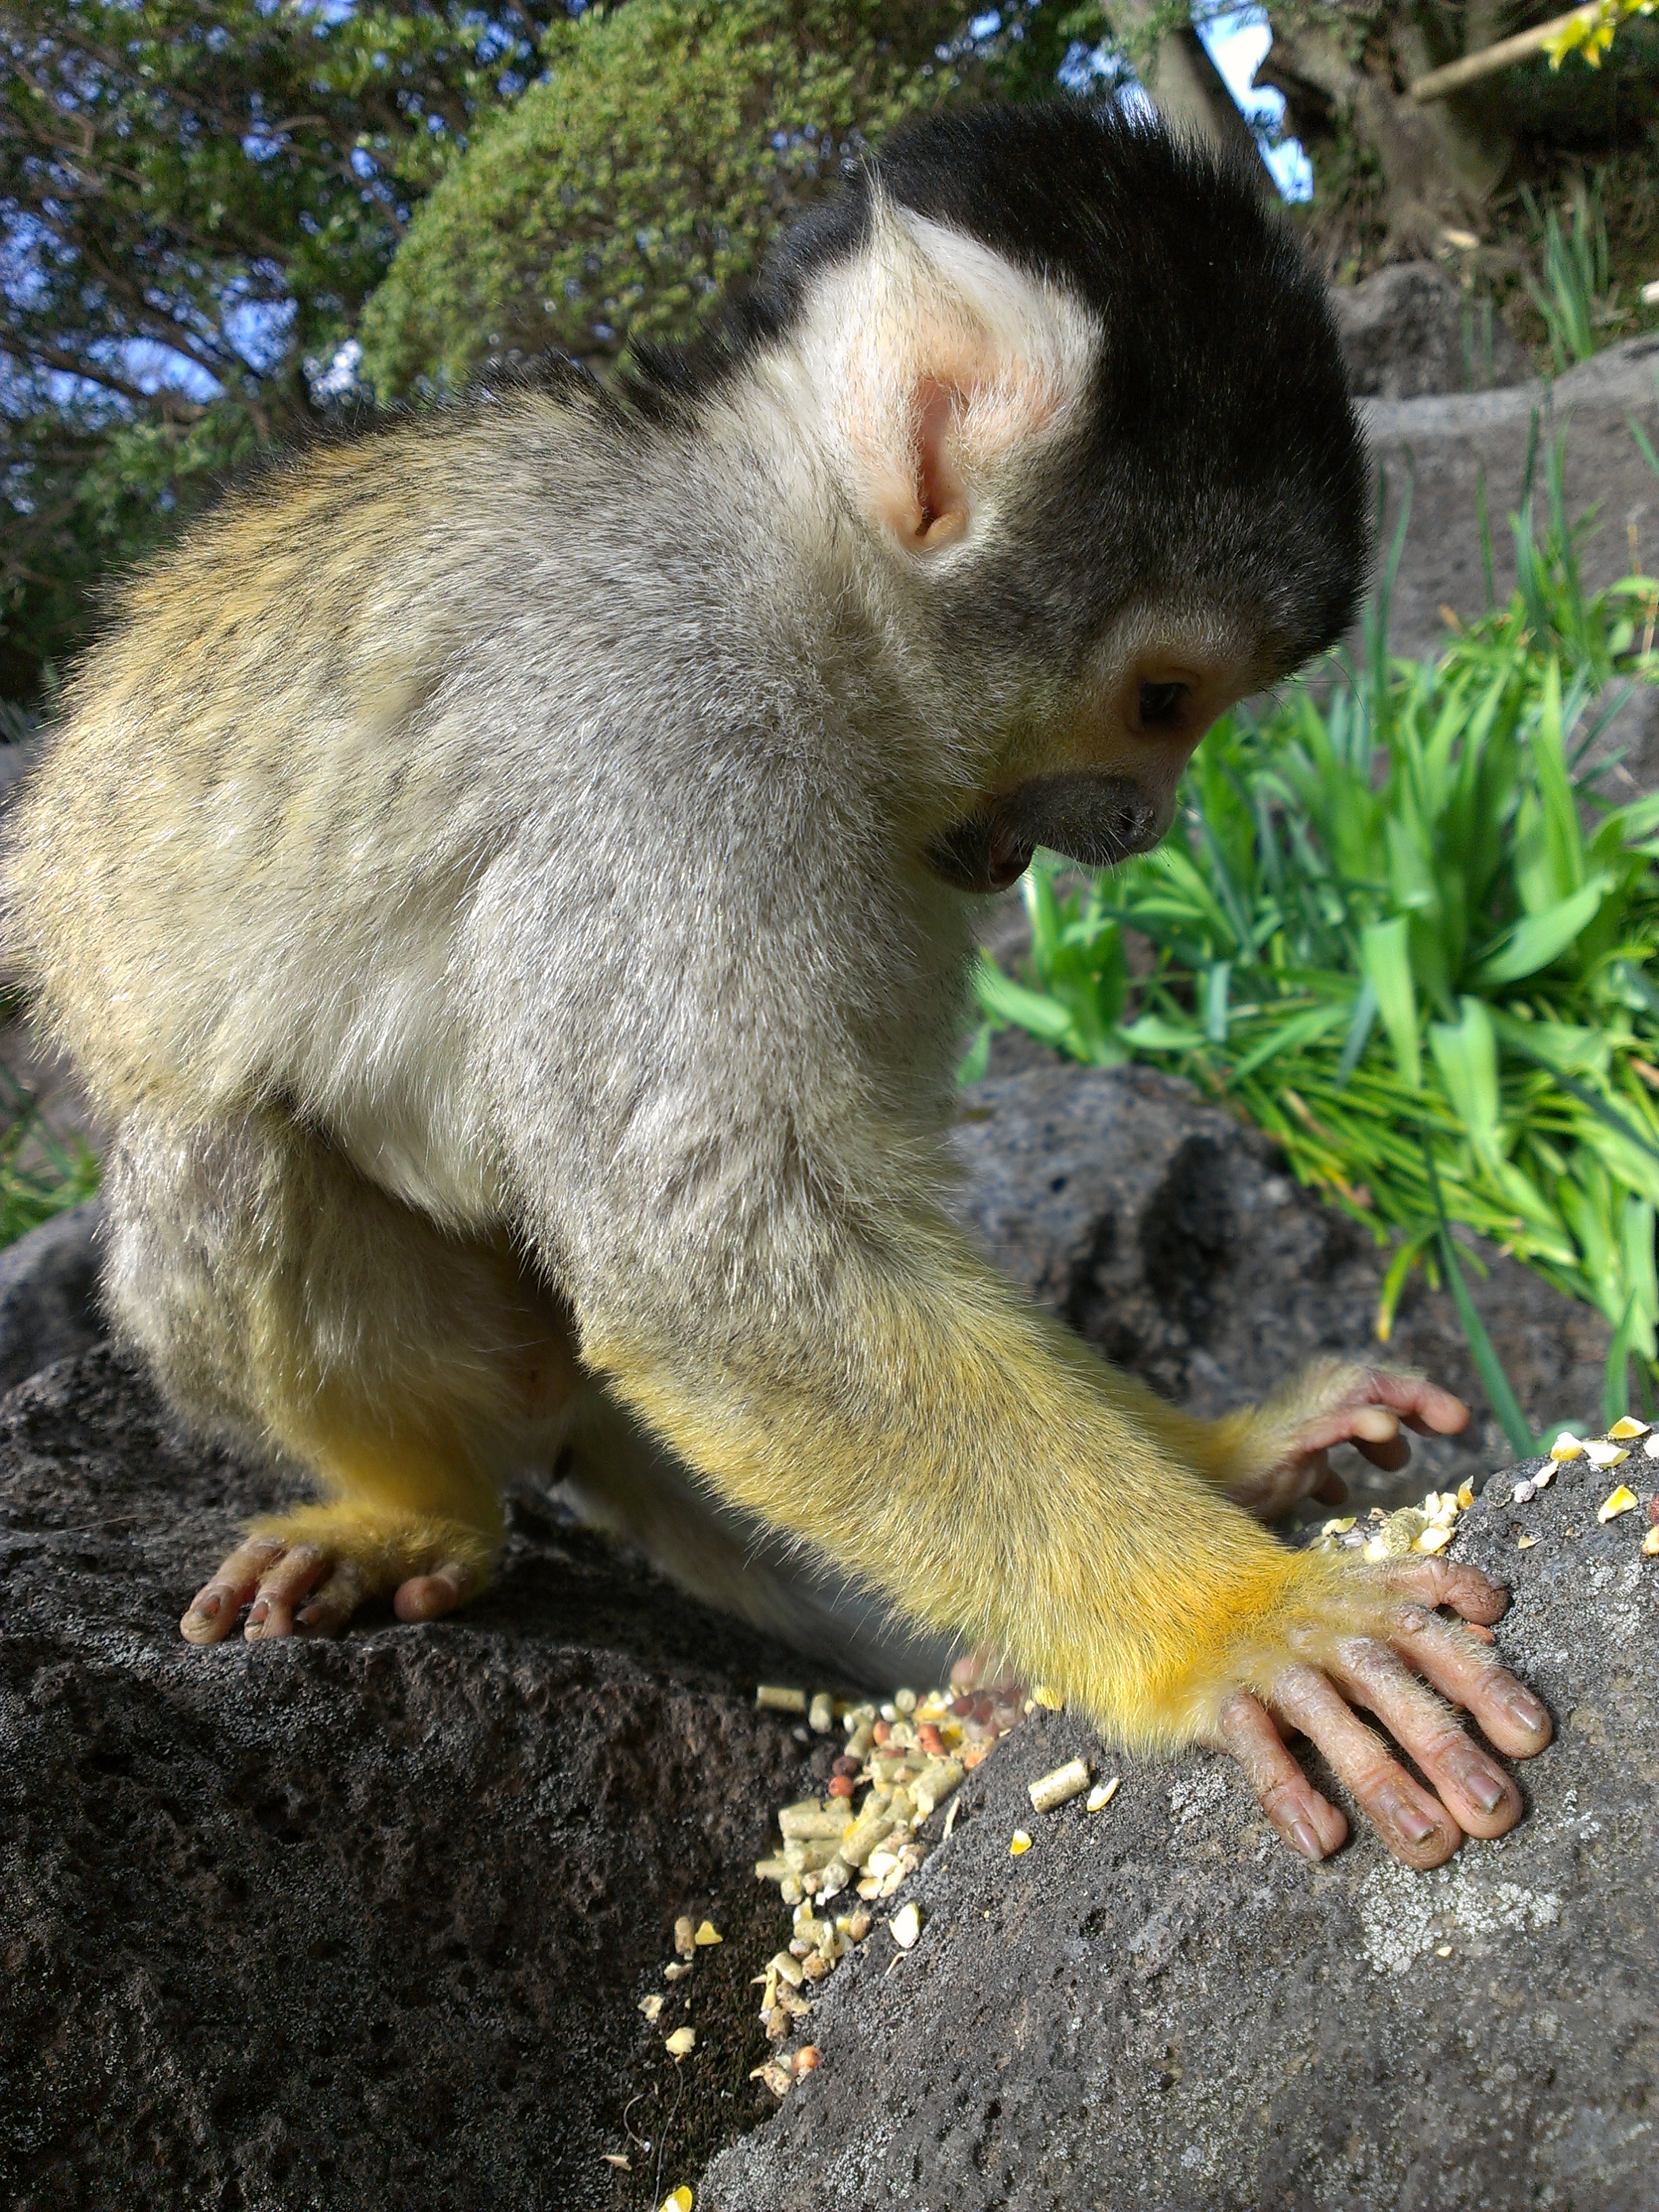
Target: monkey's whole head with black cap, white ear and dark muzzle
1083 399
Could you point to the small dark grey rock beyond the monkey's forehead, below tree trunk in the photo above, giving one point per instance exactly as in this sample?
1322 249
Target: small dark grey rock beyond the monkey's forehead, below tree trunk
1410 331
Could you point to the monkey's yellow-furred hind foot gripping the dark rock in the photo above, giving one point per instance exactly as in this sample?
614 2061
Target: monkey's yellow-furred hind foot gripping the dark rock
313 1569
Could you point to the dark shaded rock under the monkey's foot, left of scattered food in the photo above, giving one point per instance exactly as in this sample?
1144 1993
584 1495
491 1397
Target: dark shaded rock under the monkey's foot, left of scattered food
355 1926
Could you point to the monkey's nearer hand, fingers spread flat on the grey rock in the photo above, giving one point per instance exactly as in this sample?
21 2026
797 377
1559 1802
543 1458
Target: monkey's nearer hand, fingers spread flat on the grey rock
1379 1642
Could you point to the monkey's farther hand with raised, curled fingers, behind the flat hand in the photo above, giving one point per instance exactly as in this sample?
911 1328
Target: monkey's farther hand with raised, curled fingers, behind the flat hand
1282 1446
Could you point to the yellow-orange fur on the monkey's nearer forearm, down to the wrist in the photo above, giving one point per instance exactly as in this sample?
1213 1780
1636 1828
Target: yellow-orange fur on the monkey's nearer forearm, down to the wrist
957 1452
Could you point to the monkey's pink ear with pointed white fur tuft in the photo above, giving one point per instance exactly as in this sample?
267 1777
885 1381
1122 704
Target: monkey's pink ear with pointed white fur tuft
943 368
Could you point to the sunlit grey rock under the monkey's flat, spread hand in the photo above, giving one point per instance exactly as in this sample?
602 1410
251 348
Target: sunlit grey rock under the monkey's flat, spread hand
1160 2007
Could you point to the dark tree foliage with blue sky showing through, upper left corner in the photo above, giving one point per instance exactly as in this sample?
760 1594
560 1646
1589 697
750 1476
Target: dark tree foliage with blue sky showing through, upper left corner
196 200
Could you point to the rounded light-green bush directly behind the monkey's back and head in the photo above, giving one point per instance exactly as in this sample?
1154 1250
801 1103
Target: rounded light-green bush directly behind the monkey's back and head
667 145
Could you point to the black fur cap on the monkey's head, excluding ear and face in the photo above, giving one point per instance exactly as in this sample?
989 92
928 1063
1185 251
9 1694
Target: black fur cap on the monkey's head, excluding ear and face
1222 459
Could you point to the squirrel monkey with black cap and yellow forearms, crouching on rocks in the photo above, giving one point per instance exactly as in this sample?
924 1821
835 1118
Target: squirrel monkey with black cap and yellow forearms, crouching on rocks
512 879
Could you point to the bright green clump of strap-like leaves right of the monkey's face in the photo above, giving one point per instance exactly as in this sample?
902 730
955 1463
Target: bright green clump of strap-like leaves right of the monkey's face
1406 932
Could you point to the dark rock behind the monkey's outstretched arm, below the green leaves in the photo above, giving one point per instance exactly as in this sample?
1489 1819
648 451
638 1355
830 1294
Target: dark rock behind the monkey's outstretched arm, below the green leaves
1178 1244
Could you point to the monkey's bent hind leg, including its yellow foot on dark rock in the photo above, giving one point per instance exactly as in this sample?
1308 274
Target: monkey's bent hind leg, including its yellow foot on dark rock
286 1300
